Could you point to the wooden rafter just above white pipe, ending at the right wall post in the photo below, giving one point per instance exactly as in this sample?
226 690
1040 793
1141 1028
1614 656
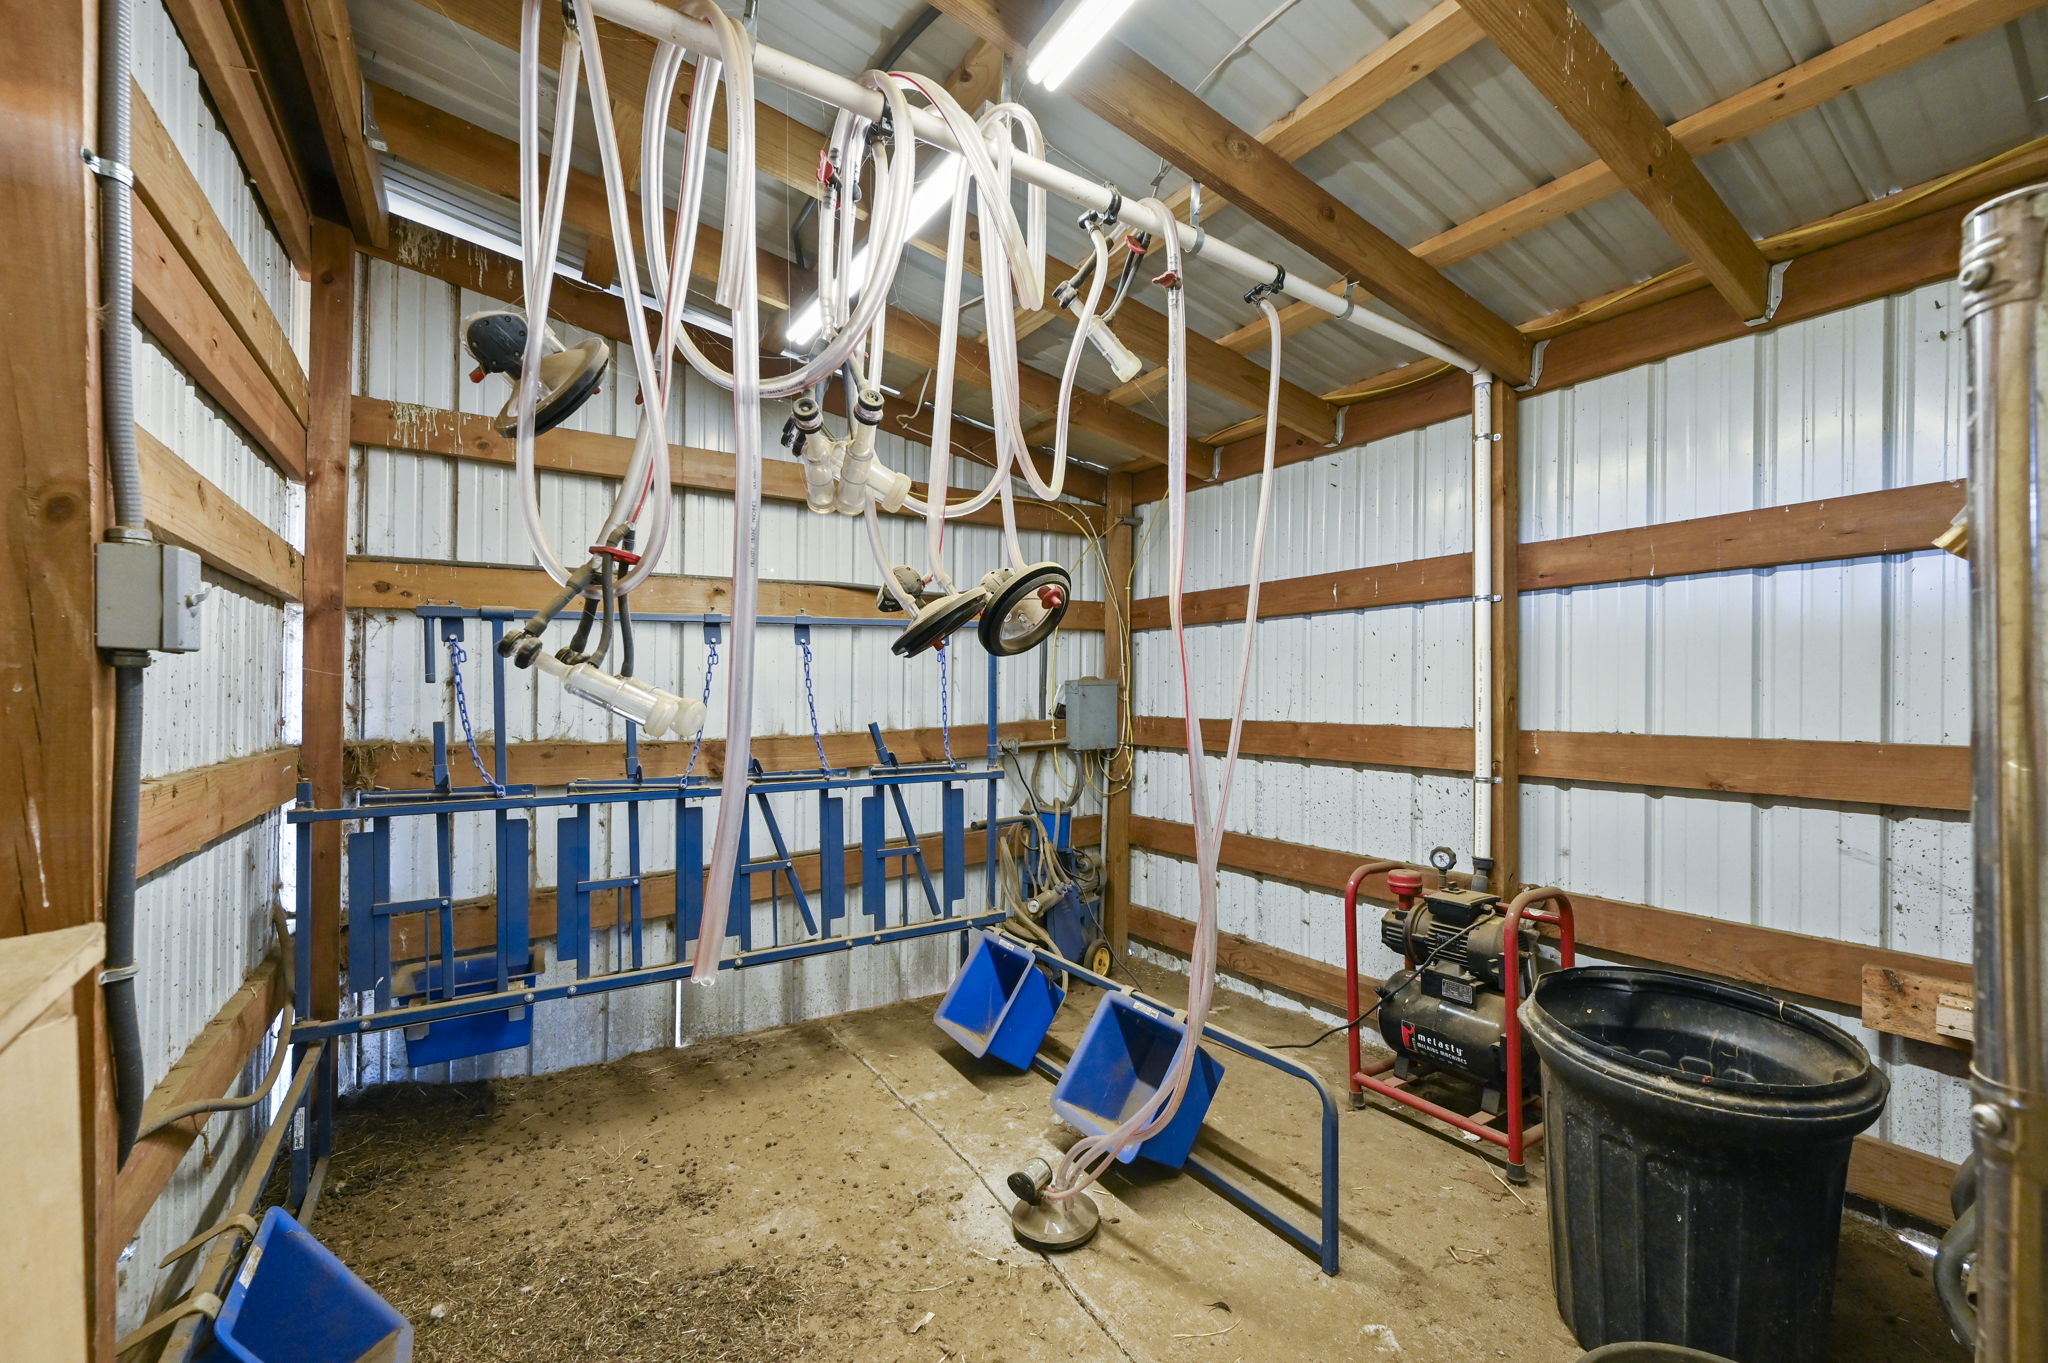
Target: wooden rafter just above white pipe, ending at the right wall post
1140 99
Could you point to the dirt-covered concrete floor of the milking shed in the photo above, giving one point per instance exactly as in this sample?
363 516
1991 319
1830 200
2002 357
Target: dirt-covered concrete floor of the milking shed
837 1192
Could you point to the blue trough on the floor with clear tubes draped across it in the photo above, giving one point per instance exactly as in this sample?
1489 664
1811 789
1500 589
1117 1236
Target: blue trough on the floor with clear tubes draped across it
1119 1065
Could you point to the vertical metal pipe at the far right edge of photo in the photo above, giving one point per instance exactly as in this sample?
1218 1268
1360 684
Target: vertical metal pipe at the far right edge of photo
2004 265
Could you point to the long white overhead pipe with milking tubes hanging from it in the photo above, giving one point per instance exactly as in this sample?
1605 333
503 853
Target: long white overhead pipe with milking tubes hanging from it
830 89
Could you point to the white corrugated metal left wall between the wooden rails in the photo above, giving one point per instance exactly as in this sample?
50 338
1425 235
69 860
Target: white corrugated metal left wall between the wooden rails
204 922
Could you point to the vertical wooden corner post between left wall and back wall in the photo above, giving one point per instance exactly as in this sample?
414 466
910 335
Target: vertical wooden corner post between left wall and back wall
325 664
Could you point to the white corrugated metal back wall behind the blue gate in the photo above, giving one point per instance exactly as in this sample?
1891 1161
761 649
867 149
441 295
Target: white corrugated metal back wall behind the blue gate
427 507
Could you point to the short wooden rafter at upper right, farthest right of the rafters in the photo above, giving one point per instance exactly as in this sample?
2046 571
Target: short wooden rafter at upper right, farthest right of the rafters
1560 54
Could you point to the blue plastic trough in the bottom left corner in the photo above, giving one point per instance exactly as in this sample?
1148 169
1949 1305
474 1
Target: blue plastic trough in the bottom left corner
296 1303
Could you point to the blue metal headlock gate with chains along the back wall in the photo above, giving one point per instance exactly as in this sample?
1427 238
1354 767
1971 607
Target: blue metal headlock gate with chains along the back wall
454 1004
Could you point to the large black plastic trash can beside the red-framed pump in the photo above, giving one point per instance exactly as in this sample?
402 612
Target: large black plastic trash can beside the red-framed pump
1697 1151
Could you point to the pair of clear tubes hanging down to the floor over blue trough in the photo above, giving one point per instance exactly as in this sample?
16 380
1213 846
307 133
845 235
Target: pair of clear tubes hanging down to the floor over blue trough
1093 1155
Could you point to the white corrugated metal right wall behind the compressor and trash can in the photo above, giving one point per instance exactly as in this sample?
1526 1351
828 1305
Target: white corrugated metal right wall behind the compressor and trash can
1869 650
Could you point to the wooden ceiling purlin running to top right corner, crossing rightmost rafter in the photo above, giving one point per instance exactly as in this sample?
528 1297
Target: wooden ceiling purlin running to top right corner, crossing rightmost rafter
1889 48
